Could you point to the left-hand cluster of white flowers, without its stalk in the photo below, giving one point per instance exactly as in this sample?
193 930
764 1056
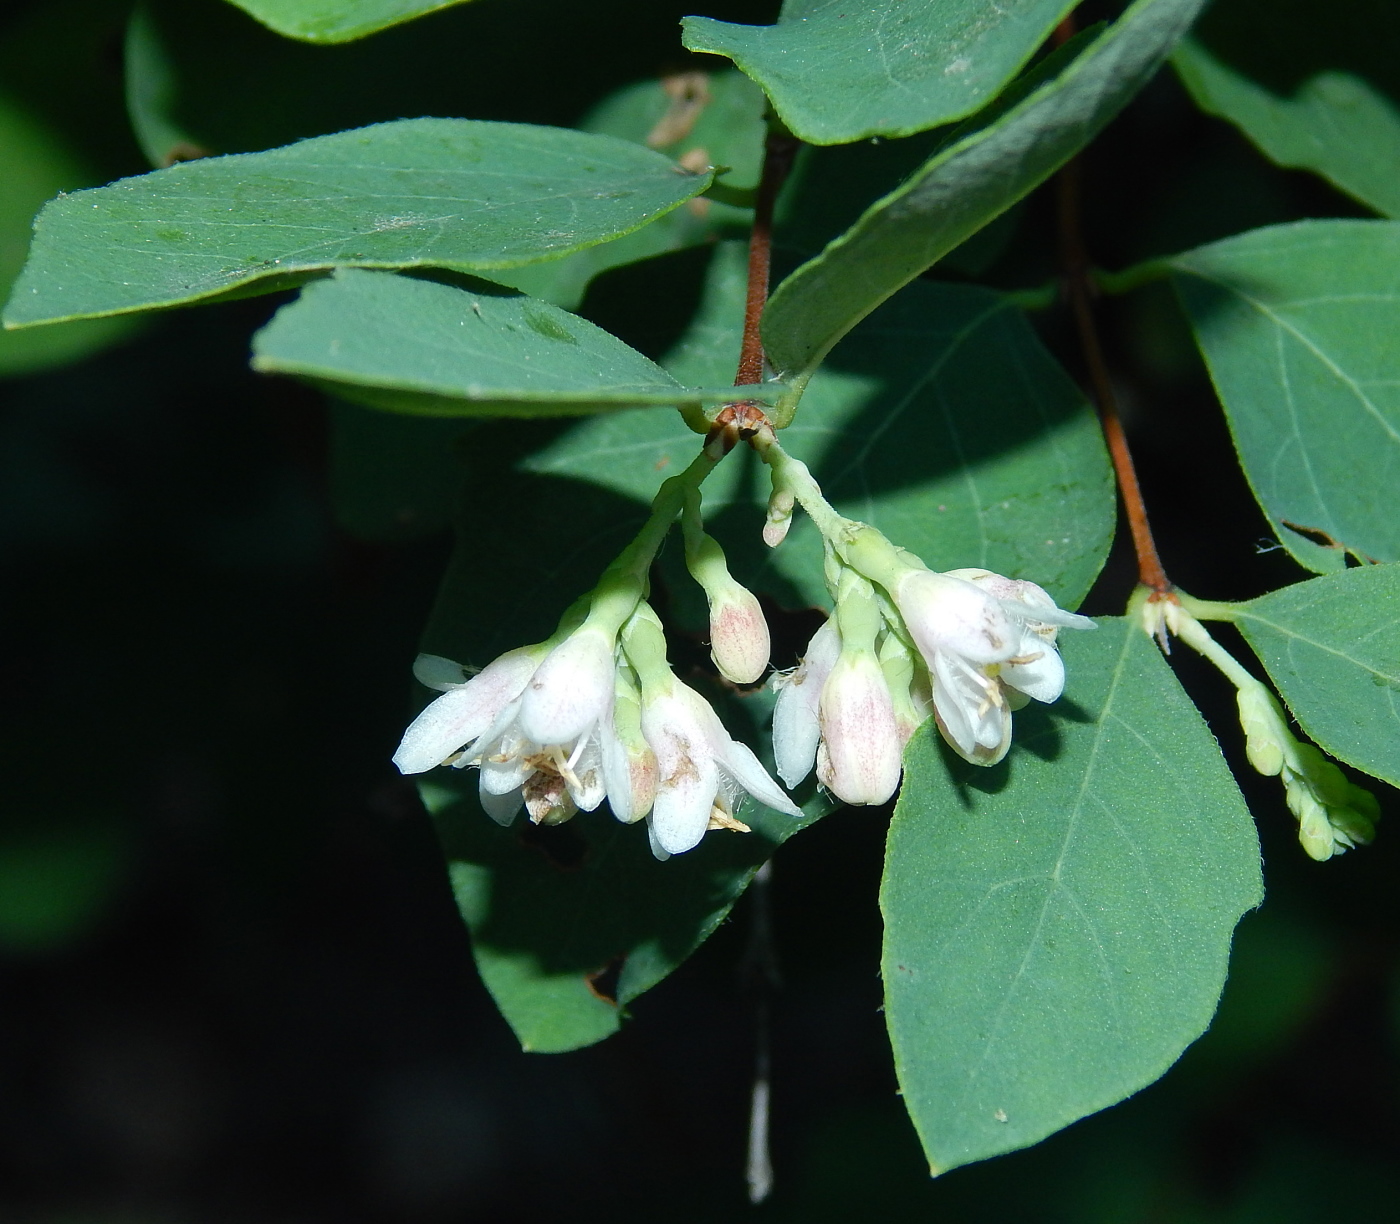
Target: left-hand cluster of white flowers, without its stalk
559 728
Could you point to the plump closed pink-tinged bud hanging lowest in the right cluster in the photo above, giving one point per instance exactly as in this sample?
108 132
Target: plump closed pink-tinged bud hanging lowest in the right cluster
860 763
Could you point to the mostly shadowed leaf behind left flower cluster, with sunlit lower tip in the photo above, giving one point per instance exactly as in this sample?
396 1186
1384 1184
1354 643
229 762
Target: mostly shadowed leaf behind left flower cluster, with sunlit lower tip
555 914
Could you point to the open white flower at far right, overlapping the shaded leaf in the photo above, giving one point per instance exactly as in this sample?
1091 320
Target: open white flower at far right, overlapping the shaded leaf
989 644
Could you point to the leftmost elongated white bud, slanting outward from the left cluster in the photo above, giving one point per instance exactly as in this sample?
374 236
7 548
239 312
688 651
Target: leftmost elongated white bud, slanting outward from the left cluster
467 711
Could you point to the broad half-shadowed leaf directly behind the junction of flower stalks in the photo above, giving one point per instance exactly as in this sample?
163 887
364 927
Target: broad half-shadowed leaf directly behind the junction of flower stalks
941 421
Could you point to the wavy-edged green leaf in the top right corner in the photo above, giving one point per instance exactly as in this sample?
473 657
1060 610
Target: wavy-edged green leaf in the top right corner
1336 124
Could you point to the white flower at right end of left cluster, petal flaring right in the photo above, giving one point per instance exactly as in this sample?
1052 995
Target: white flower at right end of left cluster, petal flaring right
701 770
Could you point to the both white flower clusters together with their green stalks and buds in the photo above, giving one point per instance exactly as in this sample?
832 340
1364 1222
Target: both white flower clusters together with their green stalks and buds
597 714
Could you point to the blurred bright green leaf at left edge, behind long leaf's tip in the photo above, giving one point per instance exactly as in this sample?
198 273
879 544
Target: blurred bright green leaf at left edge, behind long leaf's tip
36 166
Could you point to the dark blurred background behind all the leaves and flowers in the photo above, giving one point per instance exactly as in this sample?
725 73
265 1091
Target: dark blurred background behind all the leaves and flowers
236 987
